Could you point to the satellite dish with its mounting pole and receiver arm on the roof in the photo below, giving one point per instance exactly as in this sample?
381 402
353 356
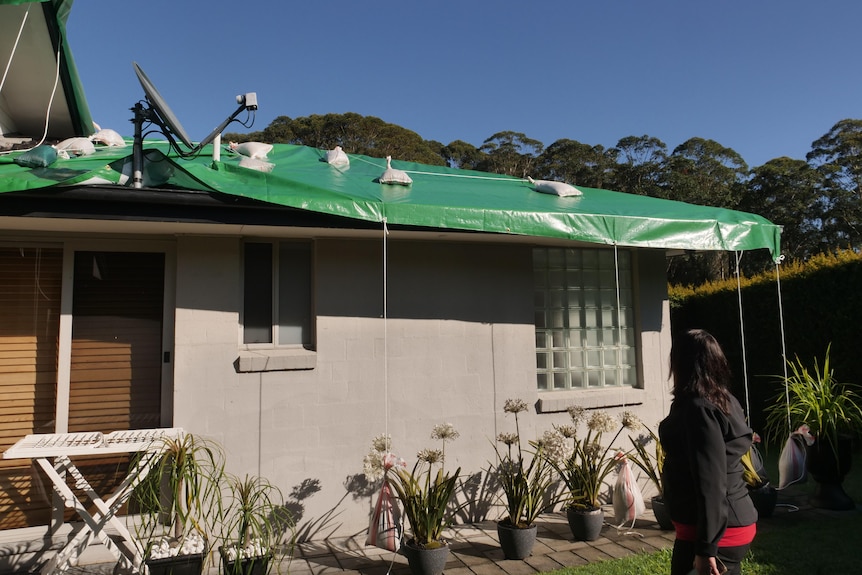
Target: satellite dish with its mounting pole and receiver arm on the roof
159 113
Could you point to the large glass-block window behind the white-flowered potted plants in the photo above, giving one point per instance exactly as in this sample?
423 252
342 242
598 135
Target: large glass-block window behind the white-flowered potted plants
580 343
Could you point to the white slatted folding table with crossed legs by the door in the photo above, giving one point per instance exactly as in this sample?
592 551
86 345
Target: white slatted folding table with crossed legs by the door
61 446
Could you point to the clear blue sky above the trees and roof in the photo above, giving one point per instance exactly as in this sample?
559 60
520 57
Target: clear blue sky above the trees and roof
765 78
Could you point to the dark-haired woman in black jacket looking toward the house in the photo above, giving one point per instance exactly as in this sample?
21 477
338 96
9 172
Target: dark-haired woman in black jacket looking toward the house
704 436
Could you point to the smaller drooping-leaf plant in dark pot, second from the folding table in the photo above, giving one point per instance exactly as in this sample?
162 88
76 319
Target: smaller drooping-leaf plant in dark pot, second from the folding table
254 522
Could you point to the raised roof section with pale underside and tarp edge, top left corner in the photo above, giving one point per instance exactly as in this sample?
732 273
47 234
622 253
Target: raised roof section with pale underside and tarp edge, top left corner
32 40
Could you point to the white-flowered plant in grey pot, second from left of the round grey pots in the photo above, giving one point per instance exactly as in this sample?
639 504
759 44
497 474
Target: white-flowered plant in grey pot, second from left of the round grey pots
525 487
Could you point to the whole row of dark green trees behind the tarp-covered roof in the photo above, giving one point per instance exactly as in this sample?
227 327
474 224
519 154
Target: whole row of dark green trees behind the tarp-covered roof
817 201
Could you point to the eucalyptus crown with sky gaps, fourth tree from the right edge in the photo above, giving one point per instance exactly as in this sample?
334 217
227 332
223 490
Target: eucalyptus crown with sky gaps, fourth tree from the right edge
641 165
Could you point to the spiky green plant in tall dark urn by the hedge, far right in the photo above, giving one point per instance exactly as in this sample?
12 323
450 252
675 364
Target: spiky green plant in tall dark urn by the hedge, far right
833 413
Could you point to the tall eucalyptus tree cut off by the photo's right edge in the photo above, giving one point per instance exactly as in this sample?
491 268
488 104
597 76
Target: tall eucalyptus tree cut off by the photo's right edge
837 155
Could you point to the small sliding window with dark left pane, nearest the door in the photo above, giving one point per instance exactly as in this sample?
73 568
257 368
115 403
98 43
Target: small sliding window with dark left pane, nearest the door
277 294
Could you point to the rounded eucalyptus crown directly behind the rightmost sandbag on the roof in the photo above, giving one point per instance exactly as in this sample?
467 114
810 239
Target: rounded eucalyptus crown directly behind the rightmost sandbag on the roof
578 164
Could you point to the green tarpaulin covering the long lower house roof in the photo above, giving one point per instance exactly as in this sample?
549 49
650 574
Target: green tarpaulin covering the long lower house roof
439 197
